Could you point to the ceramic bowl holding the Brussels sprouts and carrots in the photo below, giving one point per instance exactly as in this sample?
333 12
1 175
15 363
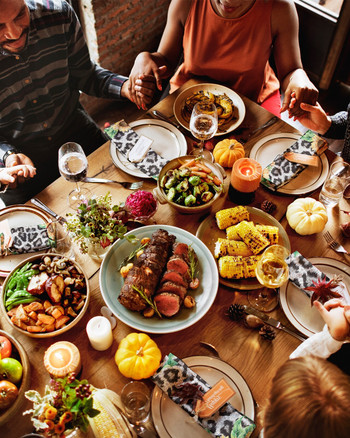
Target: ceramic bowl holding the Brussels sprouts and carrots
161 196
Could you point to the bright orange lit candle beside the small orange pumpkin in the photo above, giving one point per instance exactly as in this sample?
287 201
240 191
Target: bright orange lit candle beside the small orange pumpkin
246 175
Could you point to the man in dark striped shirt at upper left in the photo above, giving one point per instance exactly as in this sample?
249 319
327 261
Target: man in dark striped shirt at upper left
44 65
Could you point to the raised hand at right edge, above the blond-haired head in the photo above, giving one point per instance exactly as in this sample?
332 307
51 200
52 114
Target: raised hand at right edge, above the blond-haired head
336 316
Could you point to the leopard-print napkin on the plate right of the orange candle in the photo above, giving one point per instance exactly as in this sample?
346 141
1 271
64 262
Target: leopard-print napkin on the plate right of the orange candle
280 171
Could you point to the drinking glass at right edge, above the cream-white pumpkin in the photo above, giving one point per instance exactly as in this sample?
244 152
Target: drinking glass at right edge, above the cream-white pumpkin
333 187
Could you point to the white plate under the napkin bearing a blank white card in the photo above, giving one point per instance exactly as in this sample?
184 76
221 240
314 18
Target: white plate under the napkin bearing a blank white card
167 141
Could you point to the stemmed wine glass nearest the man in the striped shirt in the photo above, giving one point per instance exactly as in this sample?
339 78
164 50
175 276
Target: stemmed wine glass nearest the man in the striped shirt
72 164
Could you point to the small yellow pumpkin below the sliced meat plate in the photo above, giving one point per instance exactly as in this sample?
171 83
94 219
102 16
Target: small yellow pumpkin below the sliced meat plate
138 356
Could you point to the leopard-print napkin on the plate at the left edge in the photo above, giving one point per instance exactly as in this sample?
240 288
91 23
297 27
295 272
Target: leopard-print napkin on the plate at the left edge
24 239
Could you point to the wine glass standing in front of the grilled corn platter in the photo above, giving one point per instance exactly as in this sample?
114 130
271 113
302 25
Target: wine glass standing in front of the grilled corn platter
272 272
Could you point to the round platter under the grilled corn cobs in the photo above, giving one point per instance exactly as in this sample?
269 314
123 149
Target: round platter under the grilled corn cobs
208 232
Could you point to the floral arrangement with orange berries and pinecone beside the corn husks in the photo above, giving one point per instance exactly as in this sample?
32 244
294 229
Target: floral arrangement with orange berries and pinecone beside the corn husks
66 405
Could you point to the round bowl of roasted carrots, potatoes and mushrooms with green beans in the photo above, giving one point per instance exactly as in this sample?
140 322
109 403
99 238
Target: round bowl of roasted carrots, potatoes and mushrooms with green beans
73 285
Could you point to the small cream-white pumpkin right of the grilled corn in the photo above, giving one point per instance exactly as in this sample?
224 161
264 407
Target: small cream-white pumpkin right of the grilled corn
307 216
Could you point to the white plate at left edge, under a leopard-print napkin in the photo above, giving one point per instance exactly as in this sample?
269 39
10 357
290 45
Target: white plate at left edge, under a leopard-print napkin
20 215
